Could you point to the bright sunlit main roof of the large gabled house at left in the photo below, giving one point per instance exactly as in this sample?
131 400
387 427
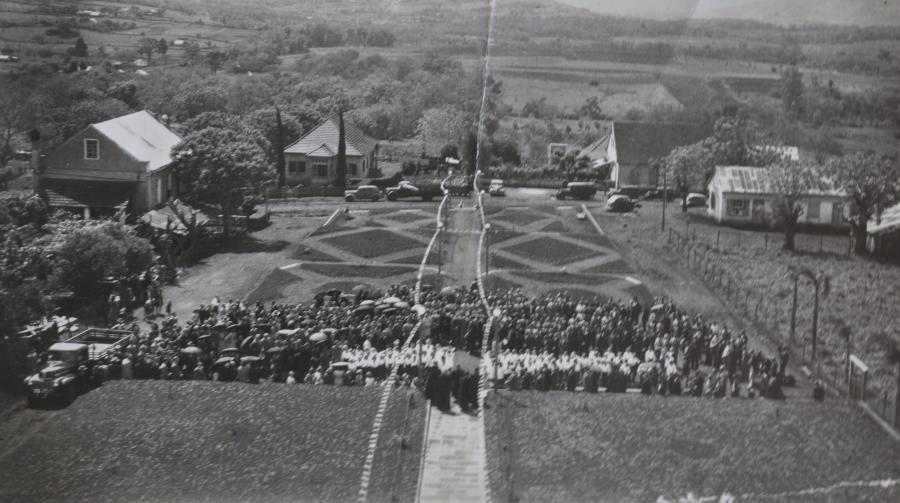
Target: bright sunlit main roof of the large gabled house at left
142 136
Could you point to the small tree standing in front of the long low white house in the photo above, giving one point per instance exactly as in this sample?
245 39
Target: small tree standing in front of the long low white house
790 182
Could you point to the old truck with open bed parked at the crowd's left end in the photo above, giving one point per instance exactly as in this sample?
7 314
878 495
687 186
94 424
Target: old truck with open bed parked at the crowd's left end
71 366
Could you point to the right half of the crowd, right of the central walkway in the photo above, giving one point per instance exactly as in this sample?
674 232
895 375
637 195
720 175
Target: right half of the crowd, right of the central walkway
558 343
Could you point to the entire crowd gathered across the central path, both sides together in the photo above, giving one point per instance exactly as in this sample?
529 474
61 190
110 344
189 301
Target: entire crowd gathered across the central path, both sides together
551 342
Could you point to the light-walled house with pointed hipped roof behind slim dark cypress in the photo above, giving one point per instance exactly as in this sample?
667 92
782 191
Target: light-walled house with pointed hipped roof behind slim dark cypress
312 160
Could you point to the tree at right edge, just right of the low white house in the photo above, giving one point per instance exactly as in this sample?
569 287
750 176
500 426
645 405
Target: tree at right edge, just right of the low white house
872 182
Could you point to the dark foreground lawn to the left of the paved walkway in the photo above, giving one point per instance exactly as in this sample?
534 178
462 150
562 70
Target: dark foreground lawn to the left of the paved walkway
197 441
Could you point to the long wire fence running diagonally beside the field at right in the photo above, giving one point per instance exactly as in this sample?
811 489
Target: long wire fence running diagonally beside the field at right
769 315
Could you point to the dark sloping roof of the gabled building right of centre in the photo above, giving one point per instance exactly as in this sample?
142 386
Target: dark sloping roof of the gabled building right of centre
639 142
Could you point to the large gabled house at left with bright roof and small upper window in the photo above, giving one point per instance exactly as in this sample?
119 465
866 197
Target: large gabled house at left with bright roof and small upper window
119 164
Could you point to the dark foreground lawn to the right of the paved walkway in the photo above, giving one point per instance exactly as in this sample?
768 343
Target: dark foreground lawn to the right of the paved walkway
607 447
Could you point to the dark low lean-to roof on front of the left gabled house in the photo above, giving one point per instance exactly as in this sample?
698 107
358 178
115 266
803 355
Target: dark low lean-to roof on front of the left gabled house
61 193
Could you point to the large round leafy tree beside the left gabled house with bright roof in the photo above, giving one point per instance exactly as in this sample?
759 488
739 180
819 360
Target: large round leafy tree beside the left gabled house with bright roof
218 164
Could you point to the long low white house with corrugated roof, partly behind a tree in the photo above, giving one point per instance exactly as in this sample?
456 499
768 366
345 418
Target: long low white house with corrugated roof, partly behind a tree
741 195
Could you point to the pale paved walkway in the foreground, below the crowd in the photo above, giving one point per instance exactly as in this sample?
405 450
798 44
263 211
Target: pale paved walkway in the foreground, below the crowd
455 461
